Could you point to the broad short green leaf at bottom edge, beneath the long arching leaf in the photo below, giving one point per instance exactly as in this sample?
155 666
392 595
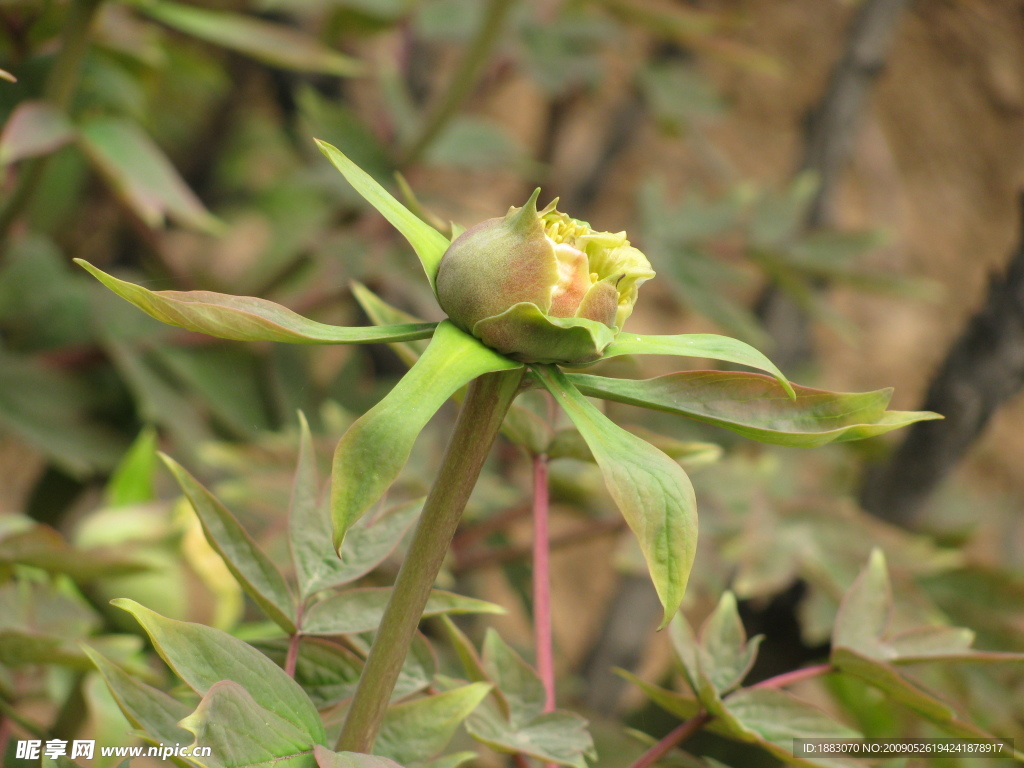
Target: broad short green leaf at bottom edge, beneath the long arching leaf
241 734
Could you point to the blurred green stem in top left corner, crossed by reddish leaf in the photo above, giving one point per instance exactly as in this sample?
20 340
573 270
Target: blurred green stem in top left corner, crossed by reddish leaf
59 90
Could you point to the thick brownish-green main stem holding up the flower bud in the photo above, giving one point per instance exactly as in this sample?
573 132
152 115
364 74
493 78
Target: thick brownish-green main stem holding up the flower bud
480 420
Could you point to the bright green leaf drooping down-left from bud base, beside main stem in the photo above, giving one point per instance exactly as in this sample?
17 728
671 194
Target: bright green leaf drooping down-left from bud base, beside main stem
374 450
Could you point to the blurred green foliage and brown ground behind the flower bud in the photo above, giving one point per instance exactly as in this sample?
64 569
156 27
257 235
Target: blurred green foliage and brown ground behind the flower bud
172 145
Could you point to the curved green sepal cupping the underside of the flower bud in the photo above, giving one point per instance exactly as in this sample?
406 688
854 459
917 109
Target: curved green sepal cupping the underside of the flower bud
539 338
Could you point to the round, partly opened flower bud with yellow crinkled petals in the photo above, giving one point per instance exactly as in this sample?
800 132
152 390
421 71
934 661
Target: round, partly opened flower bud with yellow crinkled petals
541 287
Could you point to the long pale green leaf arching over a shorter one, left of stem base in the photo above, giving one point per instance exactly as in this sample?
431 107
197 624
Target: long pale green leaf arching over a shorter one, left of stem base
202 657
